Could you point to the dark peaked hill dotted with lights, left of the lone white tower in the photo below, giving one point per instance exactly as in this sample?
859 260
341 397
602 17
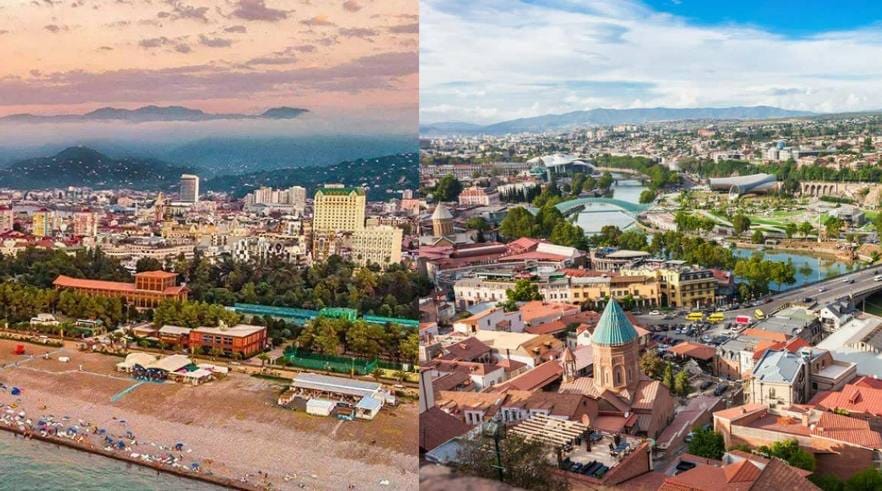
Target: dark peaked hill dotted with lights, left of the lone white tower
83 166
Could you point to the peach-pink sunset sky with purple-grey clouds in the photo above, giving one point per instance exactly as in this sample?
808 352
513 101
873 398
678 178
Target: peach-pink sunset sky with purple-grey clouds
340 57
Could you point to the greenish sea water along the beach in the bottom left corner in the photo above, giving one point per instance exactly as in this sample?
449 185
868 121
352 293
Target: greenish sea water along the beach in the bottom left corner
35 465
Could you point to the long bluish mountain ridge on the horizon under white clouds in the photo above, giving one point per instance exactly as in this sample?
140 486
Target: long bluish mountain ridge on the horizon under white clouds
607 117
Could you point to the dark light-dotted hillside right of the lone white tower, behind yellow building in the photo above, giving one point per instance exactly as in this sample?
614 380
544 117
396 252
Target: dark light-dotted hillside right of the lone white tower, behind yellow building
383 176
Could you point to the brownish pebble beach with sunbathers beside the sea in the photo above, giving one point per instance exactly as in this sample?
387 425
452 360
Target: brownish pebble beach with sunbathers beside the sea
230 427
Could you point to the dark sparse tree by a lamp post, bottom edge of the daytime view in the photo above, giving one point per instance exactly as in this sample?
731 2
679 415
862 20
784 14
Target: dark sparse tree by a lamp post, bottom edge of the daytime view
524 464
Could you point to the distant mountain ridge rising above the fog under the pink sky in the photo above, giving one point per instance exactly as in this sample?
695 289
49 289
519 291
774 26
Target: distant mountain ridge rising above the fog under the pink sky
152 114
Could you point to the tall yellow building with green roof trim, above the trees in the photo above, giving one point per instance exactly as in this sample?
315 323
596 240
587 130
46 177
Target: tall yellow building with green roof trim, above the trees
338 209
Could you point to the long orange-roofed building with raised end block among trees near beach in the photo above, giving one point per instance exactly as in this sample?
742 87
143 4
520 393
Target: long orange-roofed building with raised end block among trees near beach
149 289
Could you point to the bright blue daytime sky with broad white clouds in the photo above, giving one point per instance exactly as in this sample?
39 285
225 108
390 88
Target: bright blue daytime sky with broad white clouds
493 60
